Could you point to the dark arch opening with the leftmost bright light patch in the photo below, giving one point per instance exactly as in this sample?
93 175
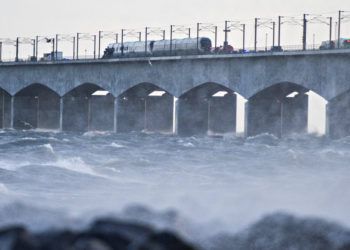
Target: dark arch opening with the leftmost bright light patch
88 107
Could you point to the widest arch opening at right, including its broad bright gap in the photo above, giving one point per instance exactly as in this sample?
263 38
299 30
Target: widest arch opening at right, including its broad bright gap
283 109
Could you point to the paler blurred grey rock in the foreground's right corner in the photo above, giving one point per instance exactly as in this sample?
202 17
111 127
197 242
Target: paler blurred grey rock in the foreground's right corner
286 232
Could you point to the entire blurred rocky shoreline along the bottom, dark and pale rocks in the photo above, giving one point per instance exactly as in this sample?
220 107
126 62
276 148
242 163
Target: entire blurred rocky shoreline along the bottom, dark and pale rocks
273 232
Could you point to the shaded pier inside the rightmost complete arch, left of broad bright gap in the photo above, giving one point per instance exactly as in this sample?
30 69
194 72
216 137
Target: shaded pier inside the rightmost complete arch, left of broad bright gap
276 112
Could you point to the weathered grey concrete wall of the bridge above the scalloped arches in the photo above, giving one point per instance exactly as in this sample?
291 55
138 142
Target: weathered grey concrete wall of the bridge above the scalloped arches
325 72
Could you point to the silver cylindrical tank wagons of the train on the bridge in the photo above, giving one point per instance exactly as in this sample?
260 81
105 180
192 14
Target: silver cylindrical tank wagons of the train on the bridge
161 47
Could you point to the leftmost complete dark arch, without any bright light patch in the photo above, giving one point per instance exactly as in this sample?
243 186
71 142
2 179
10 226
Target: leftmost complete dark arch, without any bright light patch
36 106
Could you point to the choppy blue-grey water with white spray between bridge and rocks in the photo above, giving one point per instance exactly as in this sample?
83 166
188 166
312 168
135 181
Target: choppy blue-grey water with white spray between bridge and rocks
213 184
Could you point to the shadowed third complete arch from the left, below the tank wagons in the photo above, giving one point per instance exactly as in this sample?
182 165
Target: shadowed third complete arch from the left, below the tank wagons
145 107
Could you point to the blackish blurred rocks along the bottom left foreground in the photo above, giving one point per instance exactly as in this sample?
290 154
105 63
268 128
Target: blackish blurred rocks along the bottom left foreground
106 234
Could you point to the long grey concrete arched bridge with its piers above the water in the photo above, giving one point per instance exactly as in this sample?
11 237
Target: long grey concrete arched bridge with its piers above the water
141 93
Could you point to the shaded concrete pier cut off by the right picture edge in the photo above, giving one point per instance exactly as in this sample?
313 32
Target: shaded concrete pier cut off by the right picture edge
338 116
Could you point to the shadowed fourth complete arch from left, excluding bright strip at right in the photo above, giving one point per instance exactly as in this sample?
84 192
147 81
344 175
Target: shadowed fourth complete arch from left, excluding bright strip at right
209 108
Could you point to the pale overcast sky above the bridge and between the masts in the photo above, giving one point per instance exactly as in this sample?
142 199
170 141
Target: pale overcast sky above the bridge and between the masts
27 18
